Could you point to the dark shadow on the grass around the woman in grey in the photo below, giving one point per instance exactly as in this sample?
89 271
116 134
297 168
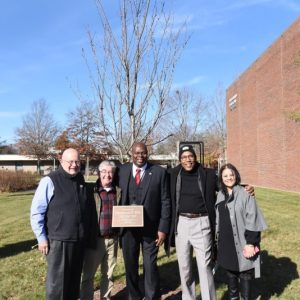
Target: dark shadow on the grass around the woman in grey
276 275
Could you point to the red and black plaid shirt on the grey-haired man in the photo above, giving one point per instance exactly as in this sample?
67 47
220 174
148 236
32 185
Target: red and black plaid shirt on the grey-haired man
108 200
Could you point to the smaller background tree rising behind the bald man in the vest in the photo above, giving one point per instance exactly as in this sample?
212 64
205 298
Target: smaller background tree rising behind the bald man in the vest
83 132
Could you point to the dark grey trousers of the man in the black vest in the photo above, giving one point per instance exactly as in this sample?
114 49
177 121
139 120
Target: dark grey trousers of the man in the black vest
64 270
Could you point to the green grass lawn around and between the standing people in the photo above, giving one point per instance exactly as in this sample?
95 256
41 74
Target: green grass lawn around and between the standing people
23 269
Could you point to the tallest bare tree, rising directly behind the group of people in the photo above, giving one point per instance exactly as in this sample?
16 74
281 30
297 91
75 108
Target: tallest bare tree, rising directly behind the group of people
132 69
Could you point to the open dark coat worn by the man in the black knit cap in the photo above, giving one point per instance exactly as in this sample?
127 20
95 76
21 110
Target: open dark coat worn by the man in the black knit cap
207 180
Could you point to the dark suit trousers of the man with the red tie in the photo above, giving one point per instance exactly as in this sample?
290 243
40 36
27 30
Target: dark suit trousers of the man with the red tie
132 241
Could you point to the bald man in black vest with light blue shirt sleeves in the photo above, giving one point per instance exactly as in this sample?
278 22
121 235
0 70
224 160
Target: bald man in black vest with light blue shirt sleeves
59 216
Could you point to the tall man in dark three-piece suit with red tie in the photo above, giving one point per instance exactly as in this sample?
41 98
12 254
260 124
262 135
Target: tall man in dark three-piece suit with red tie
144 184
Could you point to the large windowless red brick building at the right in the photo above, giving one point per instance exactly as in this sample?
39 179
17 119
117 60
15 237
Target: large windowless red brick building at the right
263 116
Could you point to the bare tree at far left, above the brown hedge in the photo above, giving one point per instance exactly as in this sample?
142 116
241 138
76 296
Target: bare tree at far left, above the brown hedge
38 131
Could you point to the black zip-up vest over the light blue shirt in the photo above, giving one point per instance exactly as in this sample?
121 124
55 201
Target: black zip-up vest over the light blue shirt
66 210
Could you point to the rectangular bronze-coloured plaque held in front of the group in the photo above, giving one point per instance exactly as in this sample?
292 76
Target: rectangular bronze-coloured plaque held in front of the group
128 216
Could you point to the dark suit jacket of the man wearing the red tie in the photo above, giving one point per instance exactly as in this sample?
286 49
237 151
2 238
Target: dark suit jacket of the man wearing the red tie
155 198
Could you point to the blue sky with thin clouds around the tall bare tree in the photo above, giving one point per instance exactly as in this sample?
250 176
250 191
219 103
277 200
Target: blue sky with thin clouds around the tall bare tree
41 42
